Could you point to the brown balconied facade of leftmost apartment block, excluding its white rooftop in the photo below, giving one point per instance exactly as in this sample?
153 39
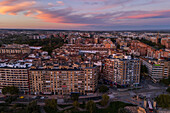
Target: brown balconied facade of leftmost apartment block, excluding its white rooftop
17 77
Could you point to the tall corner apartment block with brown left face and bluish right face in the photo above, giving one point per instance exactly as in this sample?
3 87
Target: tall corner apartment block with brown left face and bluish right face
122 70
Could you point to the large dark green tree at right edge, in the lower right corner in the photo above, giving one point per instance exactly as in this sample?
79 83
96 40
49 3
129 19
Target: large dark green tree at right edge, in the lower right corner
163 101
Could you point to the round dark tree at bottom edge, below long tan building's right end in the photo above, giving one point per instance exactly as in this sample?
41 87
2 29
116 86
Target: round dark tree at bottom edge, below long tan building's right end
91 106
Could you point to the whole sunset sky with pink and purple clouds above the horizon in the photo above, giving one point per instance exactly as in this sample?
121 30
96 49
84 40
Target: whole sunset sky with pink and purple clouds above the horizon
85 14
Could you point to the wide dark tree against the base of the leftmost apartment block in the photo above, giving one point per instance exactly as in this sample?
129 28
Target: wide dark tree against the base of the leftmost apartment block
10 90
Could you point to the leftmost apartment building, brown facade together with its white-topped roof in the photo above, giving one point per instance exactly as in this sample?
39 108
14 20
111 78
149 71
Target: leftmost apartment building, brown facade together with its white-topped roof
15 73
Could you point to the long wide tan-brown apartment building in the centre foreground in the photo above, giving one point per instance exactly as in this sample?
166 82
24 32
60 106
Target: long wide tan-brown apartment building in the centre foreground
63 80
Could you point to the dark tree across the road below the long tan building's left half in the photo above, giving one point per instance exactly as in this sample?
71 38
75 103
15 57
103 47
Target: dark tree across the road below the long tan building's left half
51 103
